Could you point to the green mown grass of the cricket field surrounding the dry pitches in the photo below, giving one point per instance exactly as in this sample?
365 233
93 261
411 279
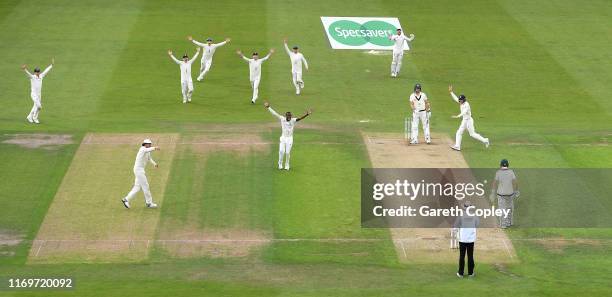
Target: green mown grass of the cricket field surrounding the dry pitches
537 76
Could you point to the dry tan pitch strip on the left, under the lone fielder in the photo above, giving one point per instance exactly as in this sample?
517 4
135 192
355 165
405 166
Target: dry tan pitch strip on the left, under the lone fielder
86 221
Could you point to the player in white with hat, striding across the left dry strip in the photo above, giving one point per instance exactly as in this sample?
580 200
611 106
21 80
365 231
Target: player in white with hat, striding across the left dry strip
140 181
